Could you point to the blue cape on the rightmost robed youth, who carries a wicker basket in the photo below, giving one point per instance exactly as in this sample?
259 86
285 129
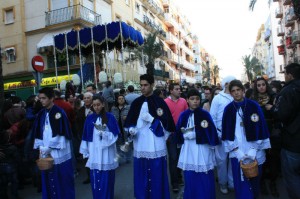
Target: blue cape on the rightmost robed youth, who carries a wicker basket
255 130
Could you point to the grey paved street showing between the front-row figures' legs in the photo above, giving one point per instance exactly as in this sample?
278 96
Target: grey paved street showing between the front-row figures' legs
124 187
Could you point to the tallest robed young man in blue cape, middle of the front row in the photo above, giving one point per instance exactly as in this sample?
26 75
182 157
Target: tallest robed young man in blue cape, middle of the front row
149 122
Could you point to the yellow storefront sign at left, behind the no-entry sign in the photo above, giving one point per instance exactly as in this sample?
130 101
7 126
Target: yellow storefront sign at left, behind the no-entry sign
48 81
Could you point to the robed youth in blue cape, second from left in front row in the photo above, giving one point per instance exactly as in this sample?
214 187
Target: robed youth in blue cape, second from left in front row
98 144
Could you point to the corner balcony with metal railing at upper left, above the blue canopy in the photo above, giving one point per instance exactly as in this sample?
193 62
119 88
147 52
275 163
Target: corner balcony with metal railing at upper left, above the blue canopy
72 13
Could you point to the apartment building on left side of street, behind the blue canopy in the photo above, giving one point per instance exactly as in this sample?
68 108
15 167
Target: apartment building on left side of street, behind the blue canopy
28 26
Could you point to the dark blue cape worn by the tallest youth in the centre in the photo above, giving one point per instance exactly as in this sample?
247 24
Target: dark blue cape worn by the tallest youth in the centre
154 102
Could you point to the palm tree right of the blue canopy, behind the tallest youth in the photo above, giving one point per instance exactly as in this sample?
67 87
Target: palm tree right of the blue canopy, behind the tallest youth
151 49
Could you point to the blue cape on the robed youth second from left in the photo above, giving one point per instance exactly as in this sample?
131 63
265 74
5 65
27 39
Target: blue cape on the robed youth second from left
88 129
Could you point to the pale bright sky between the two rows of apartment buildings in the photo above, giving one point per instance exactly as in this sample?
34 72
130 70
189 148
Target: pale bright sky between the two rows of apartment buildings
226 29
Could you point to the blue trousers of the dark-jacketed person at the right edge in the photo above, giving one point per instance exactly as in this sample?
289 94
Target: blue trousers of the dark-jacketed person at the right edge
290 167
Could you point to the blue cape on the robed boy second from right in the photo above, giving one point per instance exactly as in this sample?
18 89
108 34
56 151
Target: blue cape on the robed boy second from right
206 135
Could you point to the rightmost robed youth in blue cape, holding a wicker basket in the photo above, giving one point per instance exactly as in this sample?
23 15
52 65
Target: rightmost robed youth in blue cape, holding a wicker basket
245 136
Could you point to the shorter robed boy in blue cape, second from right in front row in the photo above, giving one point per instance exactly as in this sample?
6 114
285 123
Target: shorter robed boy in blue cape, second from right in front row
196 131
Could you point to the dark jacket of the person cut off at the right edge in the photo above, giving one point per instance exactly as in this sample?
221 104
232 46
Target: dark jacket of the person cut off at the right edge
287 110
